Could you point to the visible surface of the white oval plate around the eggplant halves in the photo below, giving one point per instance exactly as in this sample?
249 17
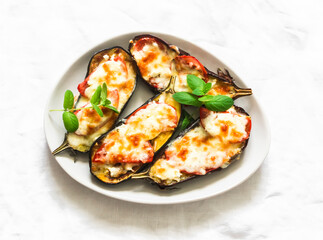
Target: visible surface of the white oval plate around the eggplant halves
141 191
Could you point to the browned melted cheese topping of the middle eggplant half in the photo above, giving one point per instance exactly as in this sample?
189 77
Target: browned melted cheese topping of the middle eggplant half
130 141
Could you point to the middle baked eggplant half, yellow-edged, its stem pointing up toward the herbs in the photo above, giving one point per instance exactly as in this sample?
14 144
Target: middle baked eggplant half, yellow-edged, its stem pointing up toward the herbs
132 143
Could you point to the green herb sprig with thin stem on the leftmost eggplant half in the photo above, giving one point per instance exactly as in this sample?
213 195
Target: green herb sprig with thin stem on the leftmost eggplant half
99 98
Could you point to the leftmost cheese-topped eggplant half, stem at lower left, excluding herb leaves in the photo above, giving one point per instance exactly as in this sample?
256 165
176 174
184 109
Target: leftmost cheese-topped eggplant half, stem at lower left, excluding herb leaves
116 68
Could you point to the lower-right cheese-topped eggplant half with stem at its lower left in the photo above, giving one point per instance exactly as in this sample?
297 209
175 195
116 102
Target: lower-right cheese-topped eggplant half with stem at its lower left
210 143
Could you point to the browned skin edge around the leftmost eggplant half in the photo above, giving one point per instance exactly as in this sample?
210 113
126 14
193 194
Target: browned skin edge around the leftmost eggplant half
95 60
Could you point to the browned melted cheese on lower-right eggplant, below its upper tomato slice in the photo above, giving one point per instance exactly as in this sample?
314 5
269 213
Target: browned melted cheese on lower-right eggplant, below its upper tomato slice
195 153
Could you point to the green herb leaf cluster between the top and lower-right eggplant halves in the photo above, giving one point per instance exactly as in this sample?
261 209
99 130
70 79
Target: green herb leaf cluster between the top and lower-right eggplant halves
198 96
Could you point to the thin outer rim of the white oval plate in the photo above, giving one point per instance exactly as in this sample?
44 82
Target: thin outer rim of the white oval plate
164 201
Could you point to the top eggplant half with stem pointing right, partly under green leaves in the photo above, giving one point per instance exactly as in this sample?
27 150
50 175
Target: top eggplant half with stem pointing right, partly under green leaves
158 60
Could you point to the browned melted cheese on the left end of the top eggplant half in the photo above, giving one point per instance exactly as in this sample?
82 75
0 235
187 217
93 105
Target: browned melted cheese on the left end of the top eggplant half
155 64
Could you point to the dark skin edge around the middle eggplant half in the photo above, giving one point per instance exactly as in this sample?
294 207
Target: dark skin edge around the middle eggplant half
96 145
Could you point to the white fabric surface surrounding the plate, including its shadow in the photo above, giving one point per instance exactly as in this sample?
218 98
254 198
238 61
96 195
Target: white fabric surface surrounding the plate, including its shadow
274 46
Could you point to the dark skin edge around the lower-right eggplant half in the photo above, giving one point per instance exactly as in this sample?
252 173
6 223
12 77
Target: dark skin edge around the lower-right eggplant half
162 184
